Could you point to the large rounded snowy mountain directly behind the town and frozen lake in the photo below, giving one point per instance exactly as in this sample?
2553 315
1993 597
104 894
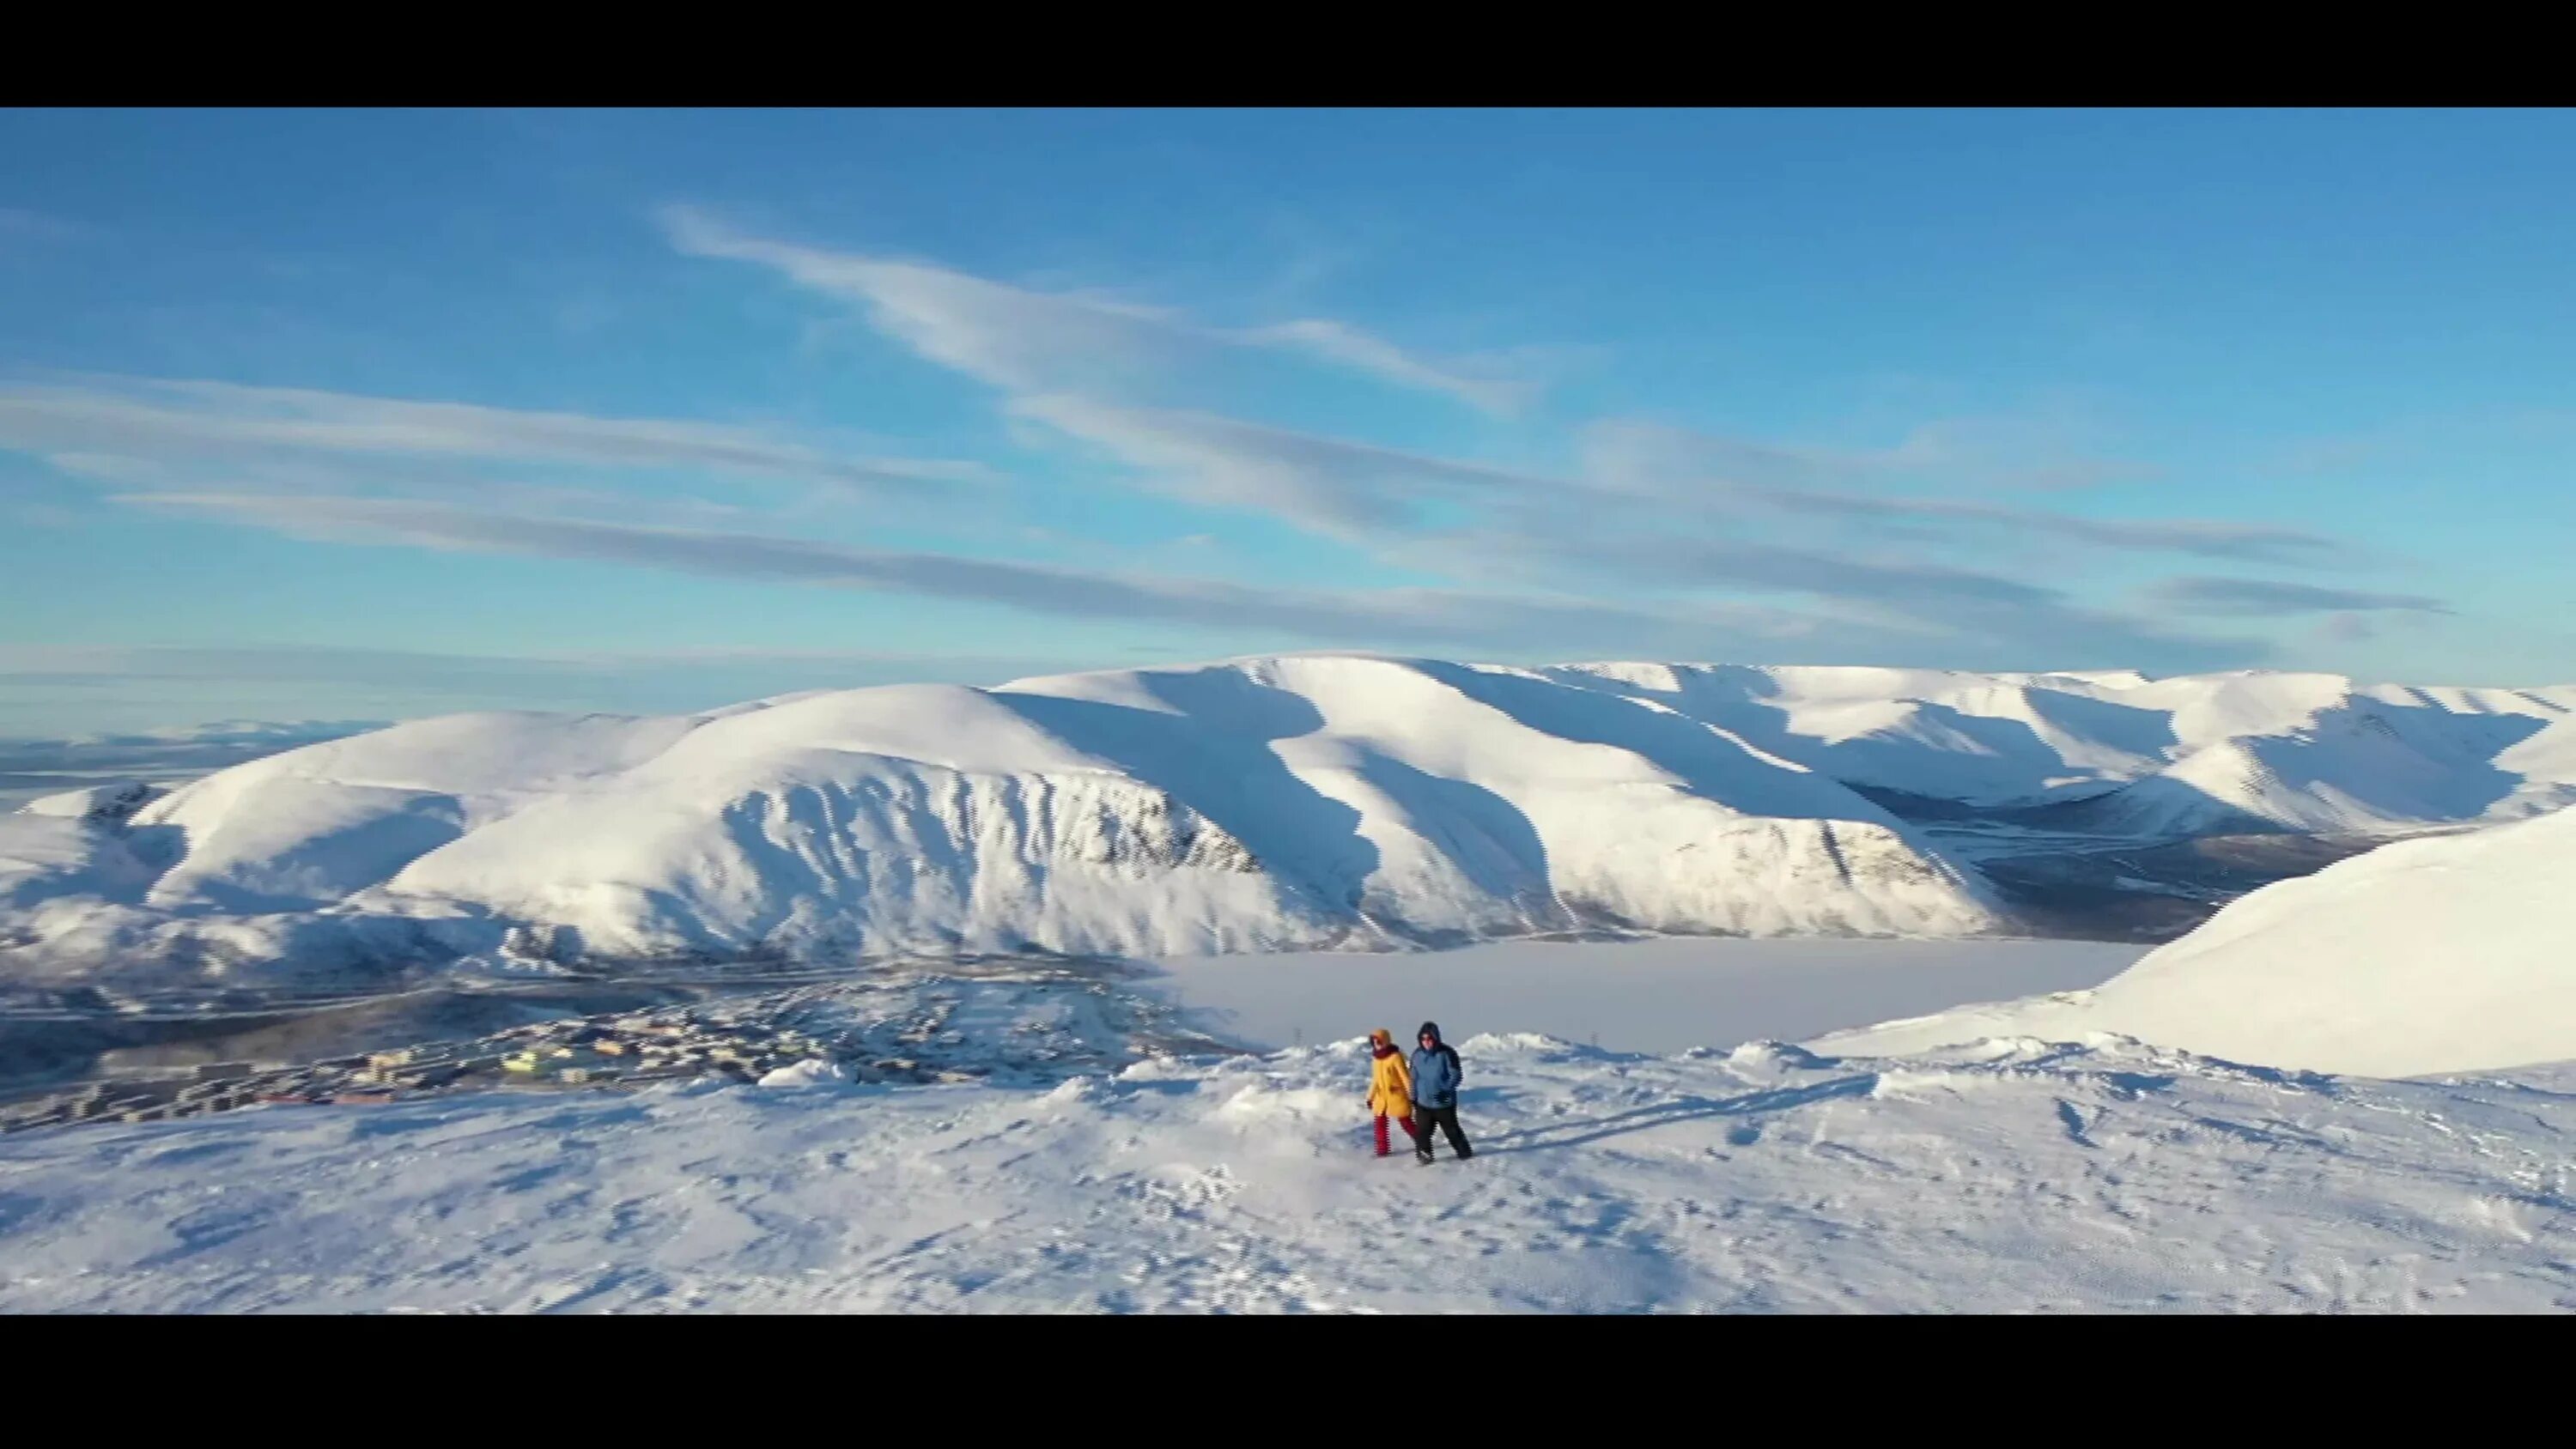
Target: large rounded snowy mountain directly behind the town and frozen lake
1240 807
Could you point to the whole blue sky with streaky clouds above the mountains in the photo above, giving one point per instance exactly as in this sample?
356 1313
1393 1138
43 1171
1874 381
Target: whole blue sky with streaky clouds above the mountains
372 416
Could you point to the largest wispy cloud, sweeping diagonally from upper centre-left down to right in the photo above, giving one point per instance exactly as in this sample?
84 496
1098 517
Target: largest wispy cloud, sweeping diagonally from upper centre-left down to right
1647 508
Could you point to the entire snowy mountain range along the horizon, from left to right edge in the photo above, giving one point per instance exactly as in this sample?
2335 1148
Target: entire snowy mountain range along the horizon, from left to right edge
1264 804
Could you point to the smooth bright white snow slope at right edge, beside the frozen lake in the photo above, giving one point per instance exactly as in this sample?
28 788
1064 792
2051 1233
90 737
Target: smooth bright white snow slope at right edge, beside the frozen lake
2428 956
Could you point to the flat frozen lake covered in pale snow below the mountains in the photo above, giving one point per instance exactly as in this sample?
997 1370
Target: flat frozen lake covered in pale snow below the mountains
1647 997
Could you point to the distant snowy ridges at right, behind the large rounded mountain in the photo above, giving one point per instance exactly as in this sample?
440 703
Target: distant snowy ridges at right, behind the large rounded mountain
2165 758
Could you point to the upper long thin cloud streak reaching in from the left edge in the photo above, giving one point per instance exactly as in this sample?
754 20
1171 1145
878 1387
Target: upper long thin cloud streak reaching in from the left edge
109 426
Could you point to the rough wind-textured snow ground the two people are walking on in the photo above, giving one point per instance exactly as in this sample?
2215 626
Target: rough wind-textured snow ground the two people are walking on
2000 1177
